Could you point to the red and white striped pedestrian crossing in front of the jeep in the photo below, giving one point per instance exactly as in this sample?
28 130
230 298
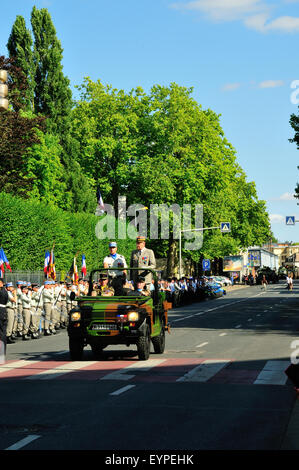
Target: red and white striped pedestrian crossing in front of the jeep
168 370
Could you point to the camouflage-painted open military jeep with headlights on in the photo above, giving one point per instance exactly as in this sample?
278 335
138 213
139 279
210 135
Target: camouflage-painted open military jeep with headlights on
100 321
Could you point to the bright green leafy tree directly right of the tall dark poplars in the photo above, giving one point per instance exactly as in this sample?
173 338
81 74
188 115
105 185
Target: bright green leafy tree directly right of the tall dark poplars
104 123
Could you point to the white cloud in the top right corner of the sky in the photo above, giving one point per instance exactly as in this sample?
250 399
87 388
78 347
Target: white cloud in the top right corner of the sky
255 14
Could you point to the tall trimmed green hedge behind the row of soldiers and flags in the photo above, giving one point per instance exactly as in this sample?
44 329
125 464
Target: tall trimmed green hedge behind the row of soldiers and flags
28 228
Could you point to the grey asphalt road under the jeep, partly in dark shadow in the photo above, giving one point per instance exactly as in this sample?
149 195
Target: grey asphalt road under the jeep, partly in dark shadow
220 385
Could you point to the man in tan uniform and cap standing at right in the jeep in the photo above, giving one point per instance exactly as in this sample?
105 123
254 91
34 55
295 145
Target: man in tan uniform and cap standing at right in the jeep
144 258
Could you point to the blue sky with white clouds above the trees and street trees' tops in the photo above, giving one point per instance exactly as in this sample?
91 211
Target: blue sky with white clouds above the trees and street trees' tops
241 57
